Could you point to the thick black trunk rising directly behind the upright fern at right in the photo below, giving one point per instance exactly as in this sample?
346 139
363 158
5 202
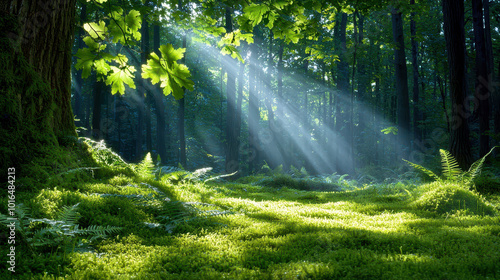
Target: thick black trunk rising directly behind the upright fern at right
453 14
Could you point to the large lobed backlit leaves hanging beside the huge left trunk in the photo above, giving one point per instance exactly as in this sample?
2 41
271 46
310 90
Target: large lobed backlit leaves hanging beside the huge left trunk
114 69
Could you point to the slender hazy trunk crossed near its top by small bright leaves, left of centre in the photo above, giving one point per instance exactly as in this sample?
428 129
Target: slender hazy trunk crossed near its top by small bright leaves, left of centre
232 163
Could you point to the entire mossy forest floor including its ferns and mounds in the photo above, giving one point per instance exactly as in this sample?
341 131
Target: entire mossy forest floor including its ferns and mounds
177 226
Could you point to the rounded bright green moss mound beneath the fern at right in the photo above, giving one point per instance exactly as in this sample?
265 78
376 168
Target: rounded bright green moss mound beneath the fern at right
444 198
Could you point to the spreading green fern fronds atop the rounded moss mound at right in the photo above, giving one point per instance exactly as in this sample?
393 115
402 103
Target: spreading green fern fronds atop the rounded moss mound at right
451 170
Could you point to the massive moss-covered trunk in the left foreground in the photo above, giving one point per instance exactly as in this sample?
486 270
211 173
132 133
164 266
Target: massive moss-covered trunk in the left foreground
35 85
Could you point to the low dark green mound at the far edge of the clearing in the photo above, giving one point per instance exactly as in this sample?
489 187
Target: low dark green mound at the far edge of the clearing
280 181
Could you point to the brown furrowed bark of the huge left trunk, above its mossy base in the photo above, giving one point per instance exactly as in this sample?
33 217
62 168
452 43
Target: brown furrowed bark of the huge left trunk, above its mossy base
44 38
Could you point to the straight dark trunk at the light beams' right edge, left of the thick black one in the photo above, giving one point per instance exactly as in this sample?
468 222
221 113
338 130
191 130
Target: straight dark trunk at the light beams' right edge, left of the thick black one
403 107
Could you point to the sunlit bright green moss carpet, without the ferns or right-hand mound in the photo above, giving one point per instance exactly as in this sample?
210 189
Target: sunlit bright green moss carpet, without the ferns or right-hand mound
369 232
